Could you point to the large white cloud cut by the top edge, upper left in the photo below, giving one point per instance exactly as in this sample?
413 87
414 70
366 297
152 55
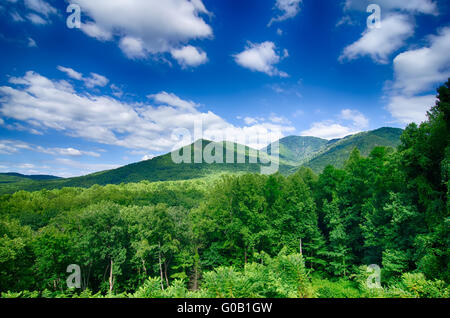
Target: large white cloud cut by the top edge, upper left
148 27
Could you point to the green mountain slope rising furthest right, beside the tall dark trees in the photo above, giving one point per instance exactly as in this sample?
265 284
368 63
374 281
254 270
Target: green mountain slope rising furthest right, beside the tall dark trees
337 151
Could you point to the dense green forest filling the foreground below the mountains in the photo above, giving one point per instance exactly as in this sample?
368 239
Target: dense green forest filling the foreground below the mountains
301 235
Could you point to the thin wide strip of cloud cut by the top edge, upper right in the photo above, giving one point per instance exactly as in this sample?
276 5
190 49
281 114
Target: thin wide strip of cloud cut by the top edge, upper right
412 6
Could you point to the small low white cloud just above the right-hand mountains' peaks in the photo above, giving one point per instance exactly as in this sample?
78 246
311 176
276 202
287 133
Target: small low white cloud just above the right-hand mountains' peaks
349 122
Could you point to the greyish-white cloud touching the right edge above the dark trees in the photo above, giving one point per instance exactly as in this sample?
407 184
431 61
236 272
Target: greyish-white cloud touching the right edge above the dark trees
418 70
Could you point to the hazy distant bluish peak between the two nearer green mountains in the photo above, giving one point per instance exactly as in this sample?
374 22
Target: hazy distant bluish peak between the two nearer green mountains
296 150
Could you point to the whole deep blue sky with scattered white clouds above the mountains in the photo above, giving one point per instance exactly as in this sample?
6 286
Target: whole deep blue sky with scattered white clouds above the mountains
115 90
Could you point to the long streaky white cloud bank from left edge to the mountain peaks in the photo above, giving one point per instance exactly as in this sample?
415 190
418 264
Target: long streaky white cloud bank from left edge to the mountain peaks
49 105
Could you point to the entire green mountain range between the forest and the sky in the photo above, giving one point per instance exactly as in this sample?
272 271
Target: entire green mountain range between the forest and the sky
295 151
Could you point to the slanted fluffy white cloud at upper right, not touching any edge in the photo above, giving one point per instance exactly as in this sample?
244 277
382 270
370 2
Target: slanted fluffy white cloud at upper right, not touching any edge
380 43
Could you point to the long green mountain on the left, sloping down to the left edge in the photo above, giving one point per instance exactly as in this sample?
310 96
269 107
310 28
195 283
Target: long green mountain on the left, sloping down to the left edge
160 168
